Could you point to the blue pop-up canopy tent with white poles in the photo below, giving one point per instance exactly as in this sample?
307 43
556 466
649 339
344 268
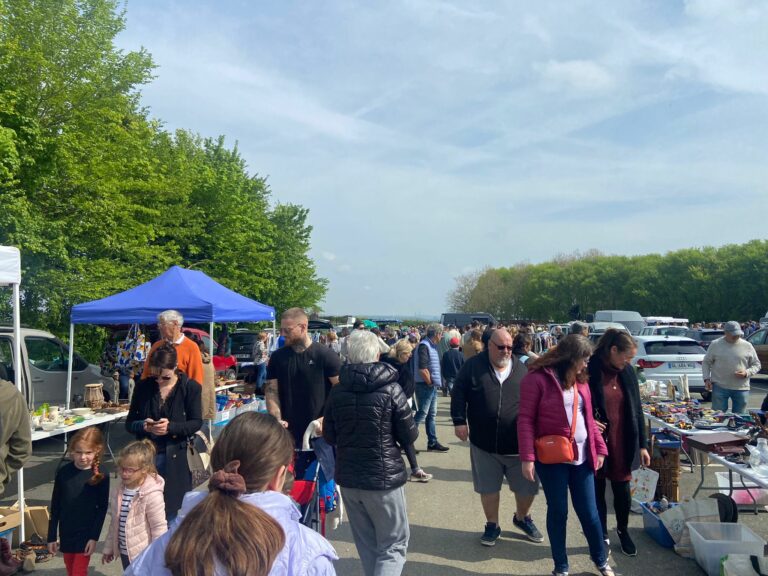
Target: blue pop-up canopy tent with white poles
198 297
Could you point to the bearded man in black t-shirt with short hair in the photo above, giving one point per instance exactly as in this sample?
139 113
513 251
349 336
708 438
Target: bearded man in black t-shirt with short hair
299 376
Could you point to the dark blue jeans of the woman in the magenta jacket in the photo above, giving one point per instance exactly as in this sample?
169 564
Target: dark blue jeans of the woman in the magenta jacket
557 480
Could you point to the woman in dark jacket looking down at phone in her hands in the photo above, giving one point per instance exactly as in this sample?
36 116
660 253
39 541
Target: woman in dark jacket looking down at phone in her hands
166 409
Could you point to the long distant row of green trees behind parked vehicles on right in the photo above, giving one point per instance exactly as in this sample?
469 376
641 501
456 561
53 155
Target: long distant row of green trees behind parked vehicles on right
705 284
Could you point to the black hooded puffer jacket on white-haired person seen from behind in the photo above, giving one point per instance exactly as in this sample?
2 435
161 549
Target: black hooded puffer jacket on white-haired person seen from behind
366 416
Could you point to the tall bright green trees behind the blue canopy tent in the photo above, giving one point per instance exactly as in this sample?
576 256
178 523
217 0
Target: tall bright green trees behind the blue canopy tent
99 197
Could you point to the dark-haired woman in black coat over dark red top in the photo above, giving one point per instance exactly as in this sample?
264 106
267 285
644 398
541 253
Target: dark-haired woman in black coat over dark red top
619 415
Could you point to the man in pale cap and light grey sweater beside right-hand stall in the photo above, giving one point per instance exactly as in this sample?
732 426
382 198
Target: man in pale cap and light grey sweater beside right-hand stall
728 365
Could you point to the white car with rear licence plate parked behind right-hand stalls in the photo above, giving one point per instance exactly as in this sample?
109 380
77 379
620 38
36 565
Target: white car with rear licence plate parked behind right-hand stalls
671 357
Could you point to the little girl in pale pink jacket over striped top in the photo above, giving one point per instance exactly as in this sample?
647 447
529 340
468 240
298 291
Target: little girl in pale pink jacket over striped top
137 508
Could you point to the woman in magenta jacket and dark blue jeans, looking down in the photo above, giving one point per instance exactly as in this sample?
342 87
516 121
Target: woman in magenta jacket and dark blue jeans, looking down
547 394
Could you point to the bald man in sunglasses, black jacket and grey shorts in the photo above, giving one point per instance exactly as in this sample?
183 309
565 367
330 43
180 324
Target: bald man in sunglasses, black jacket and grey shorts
484 407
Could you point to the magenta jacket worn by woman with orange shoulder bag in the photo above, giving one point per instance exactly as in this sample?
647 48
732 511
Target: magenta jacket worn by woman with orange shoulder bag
542 412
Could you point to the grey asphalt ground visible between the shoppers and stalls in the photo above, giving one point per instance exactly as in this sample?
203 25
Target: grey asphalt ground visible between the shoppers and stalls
446 519
